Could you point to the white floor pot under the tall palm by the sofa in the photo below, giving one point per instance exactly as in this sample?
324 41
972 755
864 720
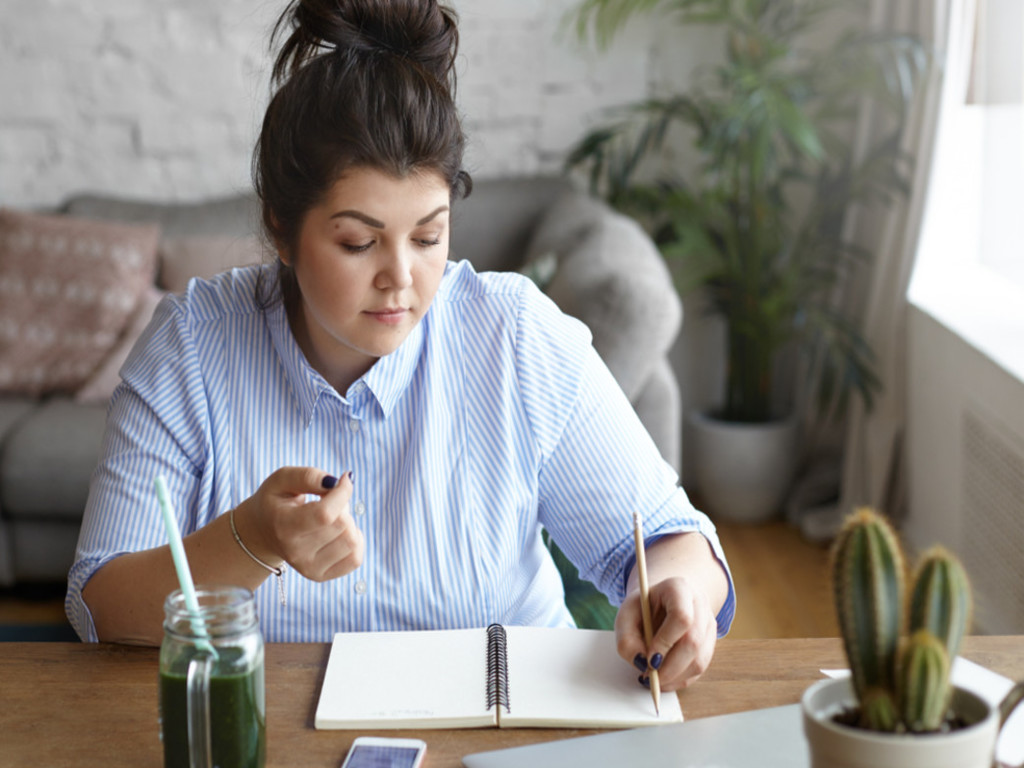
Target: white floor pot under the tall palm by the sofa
743 472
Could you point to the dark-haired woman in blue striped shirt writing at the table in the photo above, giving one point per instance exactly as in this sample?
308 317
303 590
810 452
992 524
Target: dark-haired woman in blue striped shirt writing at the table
390 429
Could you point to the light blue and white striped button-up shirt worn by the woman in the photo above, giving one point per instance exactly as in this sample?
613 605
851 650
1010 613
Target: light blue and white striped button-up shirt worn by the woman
495 418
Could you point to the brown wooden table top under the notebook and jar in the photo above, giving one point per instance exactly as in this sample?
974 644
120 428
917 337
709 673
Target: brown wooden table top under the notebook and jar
70 704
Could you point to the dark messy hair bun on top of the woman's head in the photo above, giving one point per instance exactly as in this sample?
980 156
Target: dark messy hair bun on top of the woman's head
421 31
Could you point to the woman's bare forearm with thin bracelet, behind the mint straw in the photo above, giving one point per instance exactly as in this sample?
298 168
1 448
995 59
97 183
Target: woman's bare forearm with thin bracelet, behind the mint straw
126 596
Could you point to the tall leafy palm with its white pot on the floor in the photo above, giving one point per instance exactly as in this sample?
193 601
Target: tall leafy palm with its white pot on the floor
758 224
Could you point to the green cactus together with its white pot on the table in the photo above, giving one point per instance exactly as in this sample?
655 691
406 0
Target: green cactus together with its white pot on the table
899 709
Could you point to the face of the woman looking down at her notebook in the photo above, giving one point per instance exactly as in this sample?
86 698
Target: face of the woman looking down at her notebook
369 261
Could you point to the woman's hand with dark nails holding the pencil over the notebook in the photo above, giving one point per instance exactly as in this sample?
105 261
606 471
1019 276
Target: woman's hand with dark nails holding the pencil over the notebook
685 630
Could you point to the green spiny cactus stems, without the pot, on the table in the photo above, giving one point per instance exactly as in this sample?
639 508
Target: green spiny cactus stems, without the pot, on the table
902 685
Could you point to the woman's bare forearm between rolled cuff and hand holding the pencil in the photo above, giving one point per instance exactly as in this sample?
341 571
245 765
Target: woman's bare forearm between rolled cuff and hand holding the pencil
690 557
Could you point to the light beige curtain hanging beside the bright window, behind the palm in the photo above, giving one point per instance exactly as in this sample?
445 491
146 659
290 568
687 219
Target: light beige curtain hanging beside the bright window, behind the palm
871 472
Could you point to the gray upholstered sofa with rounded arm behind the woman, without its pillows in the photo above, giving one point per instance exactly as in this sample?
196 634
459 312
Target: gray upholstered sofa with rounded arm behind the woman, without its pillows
596 265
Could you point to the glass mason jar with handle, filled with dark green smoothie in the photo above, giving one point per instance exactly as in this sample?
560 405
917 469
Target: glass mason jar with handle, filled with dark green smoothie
212 708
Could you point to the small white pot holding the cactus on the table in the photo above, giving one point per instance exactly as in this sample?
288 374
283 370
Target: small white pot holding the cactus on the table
835 746
